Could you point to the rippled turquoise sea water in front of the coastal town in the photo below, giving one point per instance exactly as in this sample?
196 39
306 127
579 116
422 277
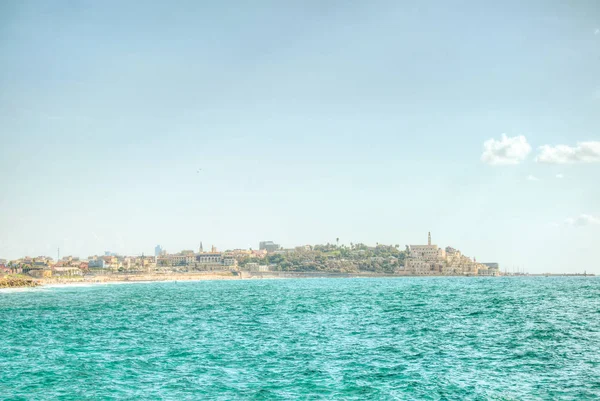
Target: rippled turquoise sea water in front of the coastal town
402 338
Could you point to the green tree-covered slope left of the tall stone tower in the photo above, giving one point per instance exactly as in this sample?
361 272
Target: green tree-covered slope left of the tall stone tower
334 258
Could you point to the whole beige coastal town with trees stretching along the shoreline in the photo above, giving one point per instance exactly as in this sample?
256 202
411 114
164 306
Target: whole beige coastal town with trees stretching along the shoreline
414 260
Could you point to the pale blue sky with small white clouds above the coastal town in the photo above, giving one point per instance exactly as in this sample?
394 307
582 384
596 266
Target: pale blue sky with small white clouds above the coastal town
127 124
